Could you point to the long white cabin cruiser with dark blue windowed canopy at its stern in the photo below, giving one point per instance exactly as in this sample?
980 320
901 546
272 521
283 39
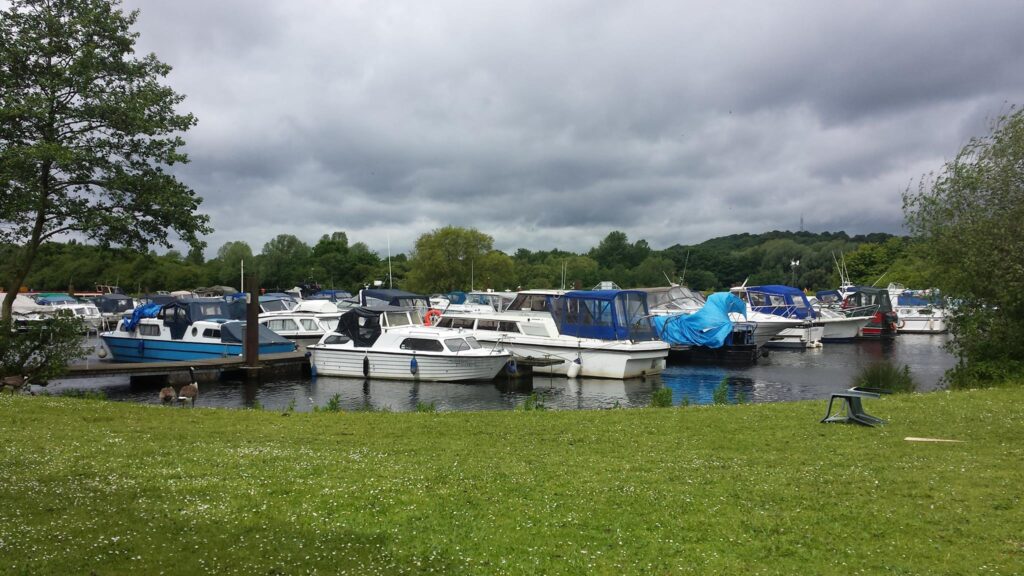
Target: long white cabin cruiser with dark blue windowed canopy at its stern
602 335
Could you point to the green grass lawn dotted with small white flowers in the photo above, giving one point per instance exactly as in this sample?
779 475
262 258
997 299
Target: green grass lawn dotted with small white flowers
115 488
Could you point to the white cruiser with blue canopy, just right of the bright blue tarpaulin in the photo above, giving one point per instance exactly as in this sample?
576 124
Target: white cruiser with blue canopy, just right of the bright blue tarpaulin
781 306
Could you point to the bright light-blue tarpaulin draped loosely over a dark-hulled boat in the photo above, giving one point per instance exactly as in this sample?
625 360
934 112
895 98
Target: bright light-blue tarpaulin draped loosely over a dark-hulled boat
709 326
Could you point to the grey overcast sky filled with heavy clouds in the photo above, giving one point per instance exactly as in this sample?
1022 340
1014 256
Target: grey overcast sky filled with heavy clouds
549 125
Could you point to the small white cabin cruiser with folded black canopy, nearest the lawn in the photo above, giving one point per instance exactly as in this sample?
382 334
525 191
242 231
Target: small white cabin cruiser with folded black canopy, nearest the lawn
392 343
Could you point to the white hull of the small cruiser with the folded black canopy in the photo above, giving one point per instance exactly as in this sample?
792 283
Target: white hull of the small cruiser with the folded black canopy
399 366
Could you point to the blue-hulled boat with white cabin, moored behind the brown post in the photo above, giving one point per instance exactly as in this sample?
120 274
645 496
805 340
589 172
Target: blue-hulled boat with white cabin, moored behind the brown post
187 330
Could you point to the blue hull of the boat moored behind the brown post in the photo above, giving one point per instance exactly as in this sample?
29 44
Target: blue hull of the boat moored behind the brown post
154 350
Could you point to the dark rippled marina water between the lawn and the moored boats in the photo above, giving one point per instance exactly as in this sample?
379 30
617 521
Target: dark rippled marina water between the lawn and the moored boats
784 376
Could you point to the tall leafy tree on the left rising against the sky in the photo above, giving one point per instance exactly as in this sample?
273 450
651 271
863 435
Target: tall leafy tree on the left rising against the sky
87 134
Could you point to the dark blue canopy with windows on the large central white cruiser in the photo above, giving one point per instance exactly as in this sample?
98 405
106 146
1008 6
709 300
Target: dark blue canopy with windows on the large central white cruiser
608 315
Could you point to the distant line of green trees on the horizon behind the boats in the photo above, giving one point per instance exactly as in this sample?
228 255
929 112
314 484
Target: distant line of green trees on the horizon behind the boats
461 259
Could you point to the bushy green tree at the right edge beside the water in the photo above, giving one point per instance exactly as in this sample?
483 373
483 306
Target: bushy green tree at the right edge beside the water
971 220
